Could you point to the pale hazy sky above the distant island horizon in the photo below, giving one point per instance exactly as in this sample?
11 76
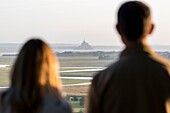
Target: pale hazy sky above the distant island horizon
72 21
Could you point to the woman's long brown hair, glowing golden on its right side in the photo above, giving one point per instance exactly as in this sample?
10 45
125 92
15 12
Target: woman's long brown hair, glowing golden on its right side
36 69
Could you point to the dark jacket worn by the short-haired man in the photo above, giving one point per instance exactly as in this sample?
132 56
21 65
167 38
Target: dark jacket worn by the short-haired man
138 82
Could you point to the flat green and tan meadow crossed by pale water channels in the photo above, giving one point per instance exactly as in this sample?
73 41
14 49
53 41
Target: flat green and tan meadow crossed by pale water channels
66 63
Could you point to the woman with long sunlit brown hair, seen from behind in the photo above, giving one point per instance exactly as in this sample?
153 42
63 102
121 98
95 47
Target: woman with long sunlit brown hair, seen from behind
35 84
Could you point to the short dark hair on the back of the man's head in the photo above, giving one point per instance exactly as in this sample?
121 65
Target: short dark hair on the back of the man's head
132 19
